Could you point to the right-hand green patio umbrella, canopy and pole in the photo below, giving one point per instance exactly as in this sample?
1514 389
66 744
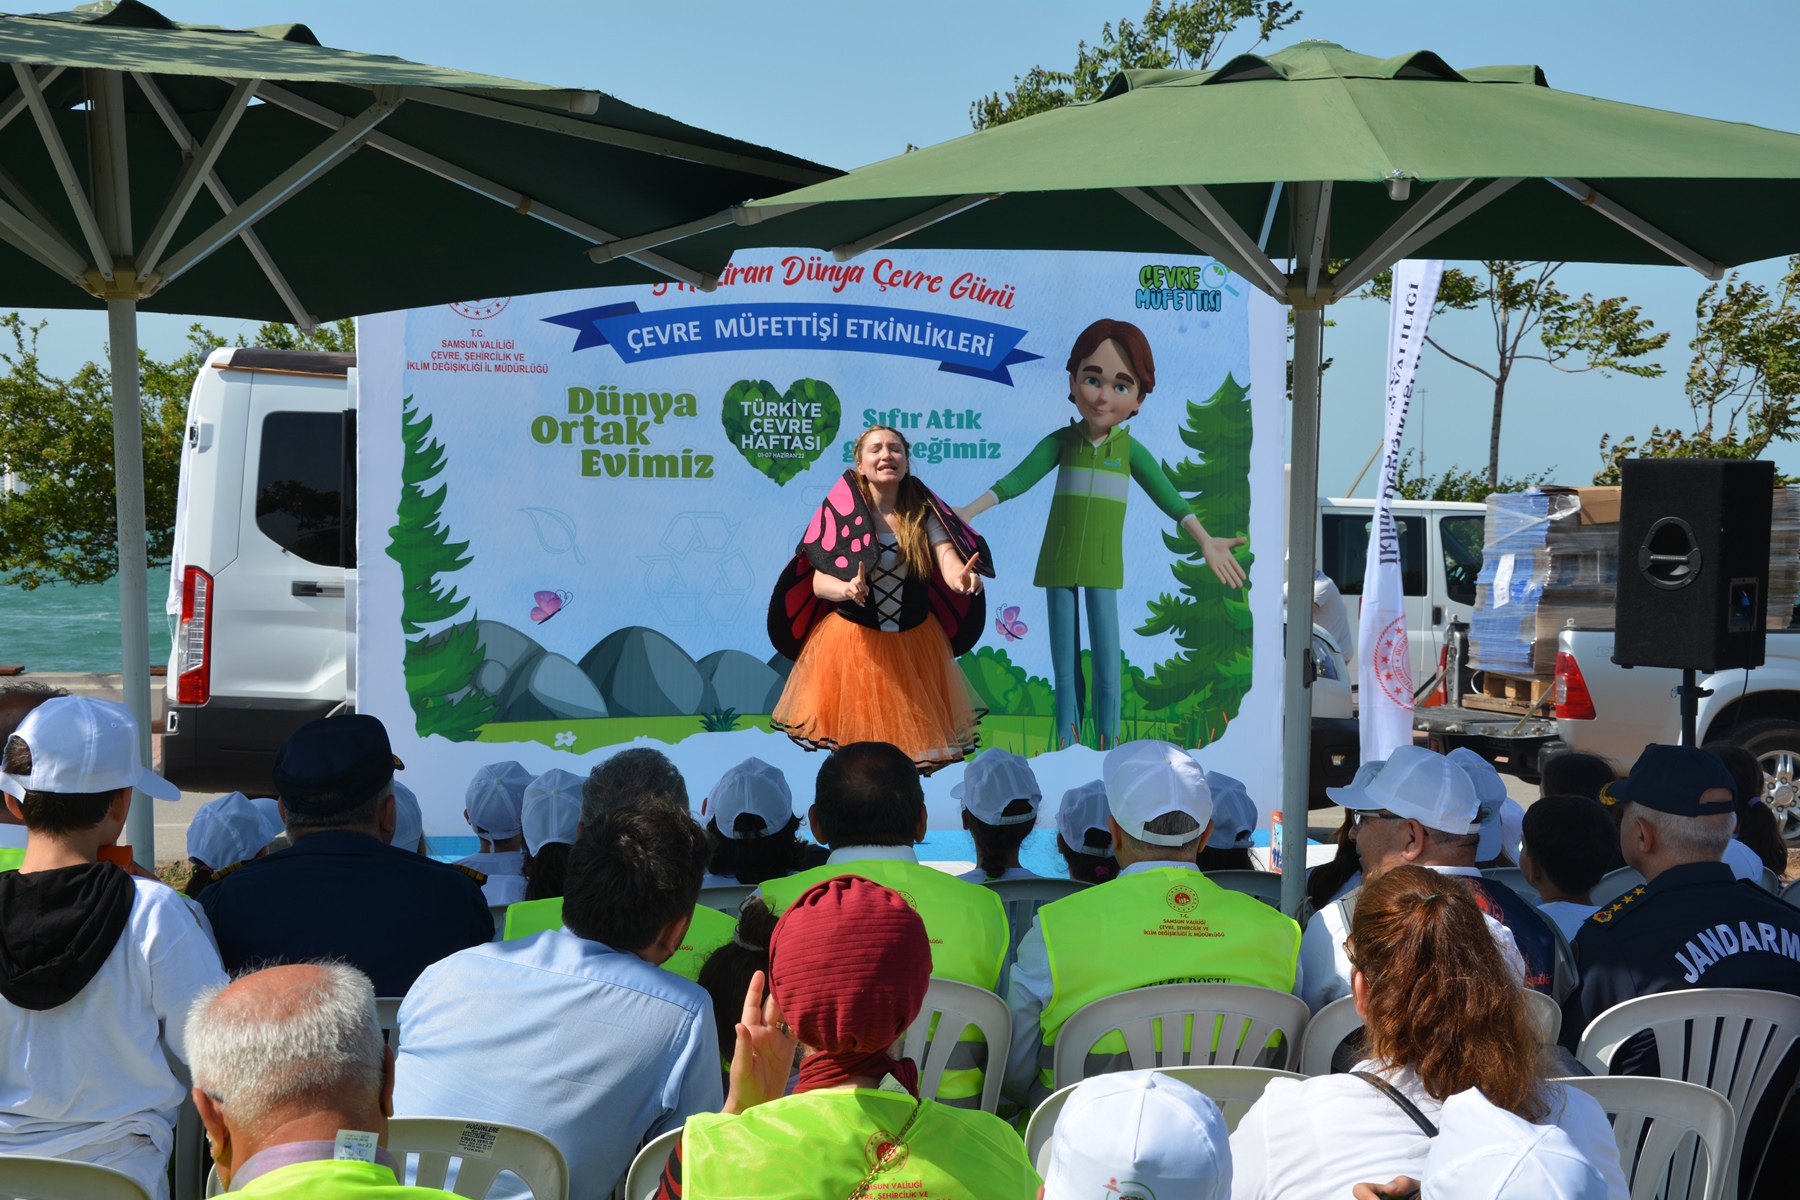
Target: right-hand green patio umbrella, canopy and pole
1308 172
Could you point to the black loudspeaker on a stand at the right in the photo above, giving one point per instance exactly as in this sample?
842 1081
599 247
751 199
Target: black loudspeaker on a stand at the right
1693 564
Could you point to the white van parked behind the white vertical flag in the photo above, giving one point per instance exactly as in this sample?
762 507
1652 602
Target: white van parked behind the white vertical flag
1441 557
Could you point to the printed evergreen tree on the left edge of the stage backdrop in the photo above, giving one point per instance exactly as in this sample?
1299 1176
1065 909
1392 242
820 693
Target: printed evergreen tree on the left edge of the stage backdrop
440 668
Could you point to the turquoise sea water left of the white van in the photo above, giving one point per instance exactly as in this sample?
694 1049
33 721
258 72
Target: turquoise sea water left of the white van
64 627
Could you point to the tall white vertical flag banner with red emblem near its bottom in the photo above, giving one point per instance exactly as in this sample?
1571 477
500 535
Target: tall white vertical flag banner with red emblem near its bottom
1385 667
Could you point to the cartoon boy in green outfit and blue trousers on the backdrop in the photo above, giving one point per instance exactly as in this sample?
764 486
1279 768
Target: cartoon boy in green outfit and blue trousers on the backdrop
1111 373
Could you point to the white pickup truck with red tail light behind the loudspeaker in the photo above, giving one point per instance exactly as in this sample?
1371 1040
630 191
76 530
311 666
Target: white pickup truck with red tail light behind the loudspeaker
1617 712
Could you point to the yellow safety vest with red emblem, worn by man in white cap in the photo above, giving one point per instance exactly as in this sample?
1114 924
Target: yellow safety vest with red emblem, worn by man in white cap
1167 926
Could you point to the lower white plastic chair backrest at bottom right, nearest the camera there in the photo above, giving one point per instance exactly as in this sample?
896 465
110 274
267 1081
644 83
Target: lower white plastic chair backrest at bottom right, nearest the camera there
1657 1124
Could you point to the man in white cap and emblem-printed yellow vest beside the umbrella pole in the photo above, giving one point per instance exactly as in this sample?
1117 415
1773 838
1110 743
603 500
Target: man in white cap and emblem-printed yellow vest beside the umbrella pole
1160 920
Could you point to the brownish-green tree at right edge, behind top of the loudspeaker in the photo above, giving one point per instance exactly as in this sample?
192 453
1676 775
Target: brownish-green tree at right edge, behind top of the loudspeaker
1741 384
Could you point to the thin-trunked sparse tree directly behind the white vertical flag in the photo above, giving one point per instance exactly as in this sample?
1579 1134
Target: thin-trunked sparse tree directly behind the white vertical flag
1572 336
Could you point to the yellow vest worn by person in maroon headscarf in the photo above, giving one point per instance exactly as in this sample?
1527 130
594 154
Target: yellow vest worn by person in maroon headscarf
825 1143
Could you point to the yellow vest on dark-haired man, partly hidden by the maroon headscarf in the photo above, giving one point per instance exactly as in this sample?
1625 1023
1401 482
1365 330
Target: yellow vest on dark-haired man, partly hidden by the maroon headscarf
969 938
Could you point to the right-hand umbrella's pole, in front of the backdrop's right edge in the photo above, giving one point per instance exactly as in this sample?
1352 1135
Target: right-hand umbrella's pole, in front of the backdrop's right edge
1297 685
